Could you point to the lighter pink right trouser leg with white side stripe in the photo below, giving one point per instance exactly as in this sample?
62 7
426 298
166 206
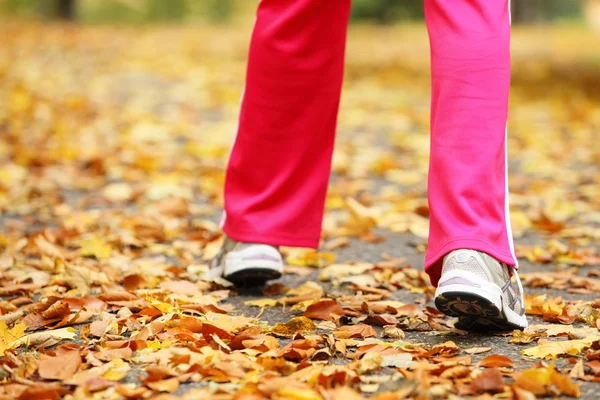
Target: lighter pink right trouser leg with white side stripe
470 51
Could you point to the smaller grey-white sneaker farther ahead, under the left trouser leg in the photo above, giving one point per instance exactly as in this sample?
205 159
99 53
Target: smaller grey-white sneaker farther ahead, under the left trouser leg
246 264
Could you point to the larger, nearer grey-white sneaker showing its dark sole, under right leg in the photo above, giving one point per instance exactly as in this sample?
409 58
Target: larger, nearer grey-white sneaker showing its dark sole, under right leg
480 291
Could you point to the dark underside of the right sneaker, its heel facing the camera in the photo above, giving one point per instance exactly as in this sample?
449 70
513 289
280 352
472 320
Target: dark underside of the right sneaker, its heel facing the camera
475 313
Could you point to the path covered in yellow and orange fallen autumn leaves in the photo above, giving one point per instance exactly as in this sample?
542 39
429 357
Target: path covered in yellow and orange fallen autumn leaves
112 149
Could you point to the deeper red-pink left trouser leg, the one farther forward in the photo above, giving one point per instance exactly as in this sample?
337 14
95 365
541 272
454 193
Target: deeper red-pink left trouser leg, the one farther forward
280 163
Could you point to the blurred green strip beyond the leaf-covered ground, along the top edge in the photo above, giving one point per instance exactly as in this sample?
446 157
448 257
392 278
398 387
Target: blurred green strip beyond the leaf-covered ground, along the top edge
379 11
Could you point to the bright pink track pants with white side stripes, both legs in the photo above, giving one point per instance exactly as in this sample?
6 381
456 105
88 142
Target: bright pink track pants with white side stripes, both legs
280 163
